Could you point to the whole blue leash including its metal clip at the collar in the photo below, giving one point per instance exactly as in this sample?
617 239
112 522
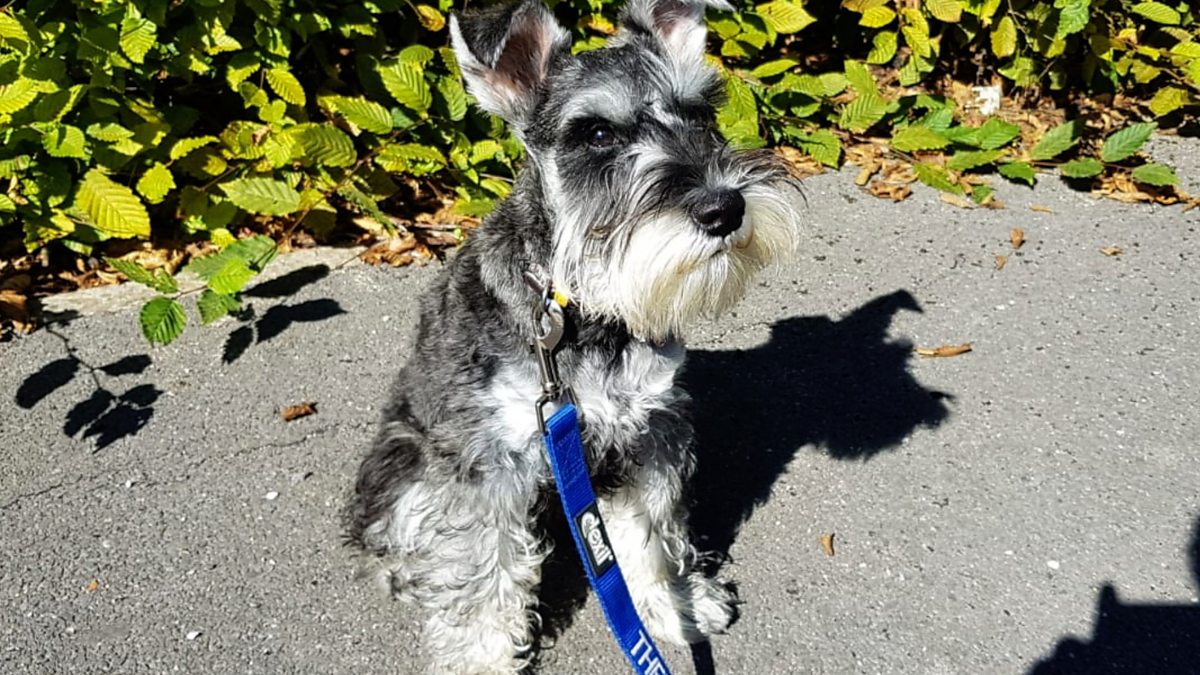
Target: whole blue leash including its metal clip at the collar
565 446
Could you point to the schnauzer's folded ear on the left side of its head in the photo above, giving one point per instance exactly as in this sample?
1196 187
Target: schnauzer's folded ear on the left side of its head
505 55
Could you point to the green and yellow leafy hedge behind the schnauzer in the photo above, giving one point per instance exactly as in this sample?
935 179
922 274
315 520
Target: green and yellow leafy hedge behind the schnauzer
128 118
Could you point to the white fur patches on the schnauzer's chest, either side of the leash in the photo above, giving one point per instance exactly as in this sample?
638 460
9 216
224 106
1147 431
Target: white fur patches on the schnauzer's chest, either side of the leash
617 398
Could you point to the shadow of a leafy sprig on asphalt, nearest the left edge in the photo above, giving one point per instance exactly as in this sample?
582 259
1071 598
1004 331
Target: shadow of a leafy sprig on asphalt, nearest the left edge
106 416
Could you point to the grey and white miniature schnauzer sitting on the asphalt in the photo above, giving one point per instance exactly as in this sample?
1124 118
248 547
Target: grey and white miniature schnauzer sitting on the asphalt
638 212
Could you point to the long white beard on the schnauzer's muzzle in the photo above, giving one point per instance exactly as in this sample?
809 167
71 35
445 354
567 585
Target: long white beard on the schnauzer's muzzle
670 273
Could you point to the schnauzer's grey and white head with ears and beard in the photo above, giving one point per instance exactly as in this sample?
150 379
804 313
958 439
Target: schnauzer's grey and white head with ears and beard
657 220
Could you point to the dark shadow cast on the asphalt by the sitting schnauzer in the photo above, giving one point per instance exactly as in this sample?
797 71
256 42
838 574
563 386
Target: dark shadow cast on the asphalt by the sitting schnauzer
842 386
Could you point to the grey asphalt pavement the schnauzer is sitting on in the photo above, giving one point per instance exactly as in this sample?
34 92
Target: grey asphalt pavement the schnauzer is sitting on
1031 506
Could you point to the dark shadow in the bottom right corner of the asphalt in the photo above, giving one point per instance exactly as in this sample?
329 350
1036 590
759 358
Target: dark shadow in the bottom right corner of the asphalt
1132 638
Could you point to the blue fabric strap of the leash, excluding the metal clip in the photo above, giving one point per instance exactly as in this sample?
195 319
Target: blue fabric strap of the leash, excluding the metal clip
571 470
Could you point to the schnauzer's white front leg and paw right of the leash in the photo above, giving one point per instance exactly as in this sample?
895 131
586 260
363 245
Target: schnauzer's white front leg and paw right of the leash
647 525
